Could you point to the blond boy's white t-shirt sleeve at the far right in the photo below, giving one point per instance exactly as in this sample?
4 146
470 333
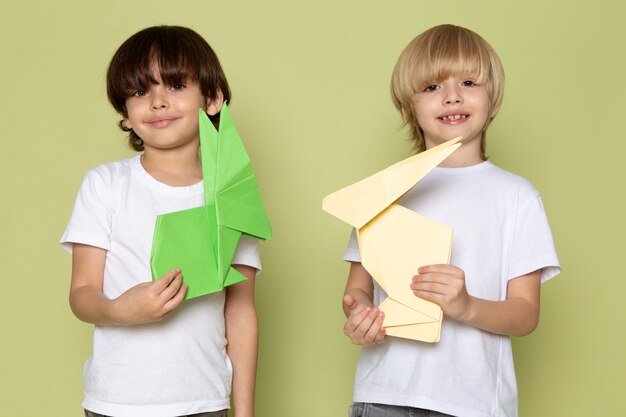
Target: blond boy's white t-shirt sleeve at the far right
533 245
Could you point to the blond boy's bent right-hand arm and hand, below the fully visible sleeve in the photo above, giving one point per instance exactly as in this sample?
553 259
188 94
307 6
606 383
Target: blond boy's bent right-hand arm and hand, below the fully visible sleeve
518 315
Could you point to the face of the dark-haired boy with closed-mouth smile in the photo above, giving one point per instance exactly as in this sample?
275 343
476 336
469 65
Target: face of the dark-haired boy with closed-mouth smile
166 117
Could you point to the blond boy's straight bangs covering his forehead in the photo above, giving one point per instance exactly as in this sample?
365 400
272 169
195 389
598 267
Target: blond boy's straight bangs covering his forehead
449 55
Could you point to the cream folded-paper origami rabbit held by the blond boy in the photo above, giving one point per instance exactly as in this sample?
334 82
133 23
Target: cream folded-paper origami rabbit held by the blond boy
395 241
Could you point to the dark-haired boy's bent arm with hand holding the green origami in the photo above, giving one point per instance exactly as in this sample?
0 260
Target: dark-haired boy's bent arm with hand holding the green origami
145 303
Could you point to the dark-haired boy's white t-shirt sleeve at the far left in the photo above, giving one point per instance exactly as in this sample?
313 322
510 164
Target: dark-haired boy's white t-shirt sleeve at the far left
90 222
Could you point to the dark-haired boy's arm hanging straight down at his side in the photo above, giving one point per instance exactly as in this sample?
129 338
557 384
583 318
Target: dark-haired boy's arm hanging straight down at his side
242 333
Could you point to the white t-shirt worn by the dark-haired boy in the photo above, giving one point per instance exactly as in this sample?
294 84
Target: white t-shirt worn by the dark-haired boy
178 366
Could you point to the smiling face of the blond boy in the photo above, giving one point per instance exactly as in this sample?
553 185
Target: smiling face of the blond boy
457 106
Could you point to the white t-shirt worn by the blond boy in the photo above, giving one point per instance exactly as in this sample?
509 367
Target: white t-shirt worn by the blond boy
500 233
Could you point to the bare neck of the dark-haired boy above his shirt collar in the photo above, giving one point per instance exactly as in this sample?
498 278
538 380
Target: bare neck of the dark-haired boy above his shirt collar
175 167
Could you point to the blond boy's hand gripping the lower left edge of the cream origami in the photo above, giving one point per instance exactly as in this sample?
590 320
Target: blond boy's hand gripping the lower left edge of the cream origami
364 325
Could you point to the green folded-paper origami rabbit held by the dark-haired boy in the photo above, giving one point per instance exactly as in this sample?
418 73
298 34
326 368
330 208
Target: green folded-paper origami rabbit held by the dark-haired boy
202 241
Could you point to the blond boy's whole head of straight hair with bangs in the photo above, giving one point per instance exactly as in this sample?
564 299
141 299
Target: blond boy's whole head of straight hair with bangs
435 55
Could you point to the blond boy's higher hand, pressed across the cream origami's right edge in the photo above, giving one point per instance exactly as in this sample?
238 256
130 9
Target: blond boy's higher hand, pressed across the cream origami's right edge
444 285
